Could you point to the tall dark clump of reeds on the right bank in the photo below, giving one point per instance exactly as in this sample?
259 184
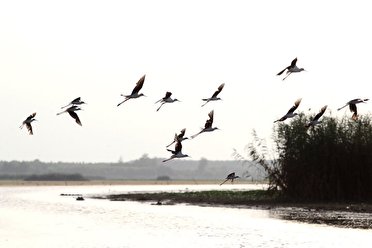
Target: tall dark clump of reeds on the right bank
330 162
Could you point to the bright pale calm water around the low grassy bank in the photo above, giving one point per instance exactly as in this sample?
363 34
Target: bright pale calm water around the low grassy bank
39 217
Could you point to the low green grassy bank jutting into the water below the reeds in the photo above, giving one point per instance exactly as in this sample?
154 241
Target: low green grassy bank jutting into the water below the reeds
258 198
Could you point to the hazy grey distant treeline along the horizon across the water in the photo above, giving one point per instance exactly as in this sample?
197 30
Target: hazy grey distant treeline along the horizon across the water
144 168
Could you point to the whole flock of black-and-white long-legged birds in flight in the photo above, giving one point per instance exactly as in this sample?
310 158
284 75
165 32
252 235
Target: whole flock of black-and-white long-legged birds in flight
75 104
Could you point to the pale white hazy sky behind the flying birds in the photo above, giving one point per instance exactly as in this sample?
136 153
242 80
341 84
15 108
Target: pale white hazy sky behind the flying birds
54 51
